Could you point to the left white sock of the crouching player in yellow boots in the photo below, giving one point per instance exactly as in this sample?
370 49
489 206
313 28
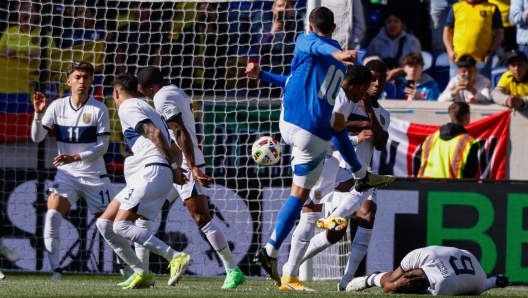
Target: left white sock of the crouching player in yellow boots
121 246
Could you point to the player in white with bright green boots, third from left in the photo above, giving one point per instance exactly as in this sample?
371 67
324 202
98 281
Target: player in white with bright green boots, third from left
176 108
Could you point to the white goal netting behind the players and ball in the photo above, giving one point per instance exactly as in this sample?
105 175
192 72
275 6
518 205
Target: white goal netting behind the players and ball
201 47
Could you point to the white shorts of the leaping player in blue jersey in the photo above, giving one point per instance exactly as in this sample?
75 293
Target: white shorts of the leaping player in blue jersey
308 154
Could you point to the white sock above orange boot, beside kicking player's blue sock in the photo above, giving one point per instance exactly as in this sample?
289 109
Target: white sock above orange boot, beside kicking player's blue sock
300 241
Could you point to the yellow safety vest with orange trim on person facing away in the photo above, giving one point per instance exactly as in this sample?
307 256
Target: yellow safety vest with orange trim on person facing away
445 159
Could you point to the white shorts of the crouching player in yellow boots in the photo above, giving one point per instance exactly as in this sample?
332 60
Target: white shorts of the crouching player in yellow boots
146 191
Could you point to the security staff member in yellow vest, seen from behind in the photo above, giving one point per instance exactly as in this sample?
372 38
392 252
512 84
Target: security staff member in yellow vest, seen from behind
451 152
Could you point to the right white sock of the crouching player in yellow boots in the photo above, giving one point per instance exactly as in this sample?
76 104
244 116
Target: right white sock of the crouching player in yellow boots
132 232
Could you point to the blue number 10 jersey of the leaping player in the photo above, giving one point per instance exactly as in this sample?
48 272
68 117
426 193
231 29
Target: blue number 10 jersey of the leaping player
313 85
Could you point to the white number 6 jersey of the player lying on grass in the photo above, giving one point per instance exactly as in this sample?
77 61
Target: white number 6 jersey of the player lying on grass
449 270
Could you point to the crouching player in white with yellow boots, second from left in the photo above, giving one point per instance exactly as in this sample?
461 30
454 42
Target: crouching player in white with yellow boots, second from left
149 176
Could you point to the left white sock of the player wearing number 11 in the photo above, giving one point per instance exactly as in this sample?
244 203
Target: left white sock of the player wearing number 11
52 237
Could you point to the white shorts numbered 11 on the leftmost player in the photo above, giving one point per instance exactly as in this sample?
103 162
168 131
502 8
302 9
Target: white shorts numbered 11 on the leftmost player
96 192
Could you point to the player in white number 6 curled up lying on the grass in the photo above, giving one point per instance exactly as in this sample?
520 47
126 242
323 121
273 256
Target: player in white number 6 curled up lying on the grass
435 270
